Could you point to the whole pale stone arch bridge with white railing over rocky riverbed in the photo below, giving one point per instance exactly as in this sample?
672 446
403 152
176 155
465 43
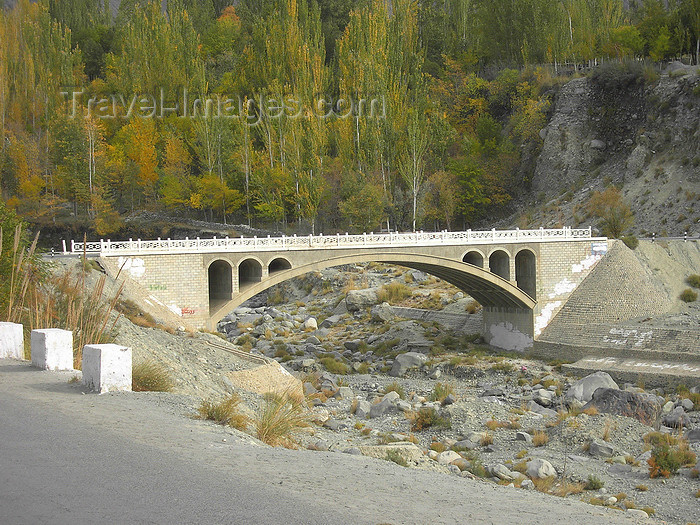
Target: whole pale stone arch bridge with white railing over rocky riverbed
521 277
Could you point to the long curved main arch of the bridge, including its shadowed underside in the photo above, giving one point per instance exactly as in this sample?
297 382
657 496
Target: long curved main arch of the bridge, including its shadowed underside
486 287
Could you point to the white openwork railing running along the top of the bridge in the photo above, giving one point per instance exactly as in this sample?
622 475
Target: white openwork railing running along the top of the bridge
375 240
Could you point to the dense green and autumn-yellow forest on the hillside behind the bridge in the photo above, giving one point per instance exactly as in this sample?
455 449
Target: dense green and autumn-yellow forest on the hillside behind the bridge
323 115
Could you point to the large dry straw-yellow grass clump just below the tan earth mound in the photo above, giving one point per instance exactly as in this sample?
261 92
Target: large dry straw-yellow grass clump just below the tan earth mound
280 418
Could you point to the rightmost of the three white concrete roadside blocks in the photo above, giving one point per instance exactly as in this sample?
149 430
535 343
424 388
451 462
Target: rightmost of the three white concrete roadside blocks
107 368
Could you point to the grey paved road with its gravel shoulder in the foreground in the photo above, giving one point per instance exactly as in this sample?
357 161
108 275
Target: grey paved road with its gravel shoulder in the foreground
71 457
